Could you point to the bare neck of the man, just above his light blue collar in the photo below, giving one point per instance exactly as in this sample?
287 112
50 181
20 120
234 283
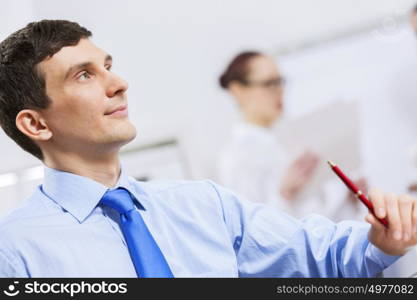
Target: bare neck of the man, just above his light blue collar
104 169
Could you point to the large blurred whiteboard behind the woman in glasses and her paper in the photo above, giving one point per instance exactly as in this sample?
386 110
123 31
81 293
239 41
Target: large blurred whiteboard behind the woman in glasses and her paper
381 73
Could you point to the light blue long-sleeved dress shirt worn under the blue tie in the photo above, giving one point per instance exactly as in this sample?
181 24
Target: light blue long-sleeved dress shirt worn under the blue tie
202 229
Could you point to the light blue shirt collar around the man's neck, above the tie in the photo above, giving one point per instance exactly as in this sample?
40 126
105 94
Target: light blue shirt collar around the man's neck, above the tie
80 195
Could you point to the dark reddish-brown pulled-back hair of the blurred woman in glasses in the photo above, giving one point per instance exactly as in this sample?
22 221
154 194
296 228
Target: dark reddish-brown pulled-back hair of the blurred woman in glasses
237 70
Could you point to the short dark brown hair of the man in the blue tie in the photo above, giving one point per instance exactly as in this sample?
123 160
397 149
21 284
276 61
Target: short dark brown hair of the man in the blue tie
22 86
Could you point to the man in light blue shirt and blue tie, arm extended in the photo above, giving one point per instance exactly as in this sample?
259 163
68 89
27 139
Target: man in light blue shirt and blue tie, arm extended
60 101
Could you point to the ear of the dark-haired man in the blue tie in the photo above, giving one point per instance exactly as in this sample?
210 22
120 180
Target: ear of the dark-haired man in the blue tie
33 125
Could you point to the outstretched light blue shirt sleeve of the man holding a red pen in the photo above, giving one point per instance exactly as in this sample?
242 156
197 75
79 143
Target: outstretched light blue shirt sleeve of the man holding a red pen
272 244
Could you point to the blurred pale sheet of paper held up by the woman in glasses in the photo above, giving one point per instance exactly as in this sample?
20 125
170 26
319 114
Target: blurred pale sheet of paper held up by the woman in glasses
332 132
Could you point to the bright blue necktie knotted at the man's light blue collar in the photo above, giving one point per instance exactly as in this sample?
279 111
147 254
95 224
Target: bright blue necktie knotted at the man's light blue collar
145 253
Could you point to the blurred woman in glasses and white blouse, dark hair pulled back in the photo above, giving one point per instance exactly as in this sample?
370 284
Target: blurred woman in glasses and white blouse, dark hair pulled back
253 164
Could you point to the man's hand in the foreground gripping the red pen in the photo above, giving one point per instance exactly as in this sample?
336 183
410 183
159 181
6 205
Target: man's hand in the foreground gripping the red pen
401 214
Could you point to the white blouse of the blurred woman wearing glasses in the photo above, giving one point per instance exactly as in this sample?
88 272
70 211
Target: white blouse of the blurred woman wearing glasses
252 165
